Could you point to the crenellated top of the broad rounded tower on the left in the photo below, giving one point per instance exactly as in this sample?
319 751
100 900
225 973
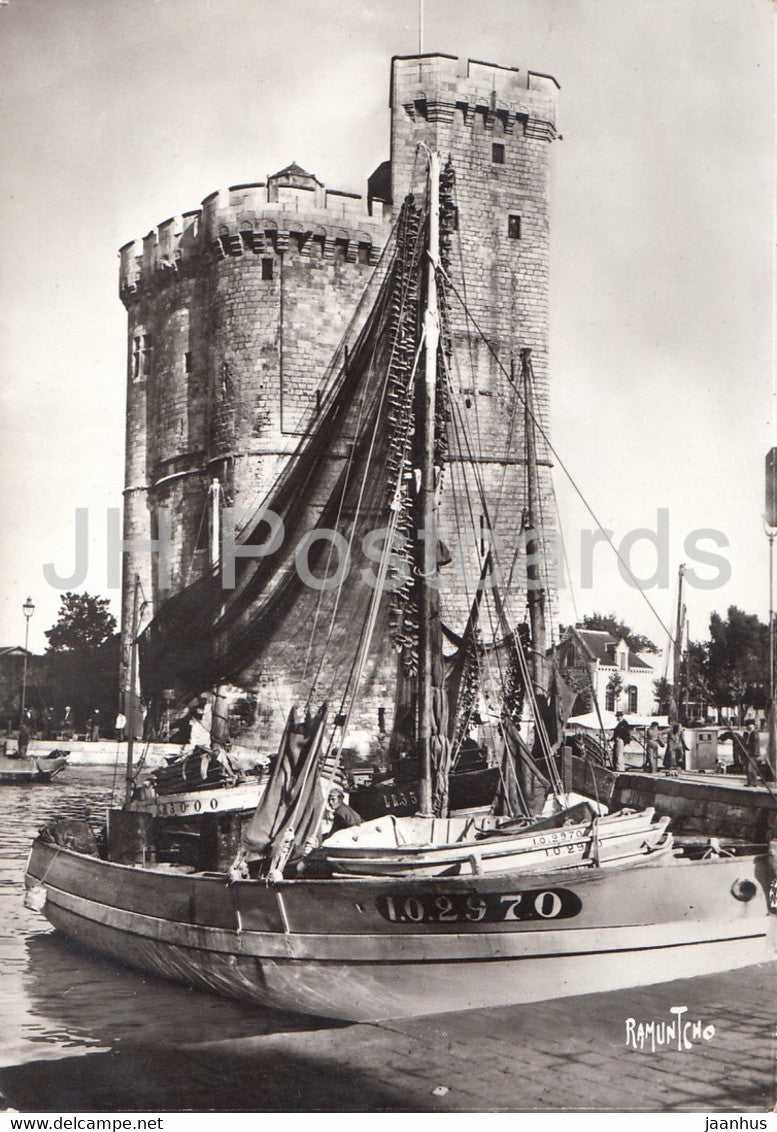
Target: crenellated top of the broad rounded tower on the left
292 210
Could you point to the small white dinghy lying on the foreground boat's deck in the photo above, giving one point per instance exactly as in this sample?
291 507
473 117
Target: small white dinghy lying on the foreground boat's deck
458 846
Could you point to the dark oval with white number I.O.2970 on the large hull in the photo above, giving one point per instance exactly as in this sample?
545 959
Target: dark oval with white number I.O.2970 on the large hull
490 908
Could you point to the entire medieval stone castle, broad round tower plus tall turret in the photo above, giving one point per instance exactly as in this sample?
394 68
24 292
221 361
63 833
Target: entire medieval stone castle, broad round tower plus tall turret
237 313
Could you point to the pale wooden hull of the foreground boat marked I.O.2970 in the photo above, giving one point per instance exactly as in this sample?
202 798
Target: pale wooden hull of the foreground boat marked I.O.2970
368 950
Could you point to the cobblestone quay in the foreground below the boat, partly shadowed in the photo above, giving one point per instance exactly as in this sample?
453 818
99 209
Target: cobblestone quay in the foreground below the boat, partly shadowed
563 1056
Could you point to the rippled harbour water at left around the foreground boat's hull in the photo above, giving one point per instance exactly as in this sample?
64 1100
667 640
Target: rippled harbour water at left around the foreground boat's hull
57 999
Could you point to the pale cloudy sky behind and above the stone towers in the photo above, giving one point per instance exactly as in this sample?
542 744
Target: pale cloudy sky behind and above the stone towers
118 115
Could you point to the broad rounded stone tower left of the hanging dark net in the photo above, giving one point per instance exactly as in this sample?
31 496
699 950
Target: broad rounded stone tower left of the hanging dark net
235 313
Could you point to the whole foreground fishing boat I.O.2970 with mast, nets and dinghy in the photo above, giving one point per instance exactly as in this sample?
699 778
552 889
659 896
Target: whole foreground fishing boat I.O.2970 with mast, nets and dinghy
416 915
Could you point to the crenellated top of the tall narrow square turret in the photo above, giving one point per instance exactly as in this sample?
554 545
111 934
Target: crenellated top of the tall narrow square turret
438 88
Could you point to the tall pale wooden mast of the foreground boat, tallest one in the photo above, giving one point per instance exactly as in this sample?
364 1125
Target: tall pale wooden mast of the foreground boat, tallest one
426 558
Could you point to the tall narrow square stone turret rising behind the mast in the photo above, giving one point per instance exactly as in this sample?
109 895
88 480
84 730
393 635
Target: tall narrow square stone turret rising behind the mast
496 125
